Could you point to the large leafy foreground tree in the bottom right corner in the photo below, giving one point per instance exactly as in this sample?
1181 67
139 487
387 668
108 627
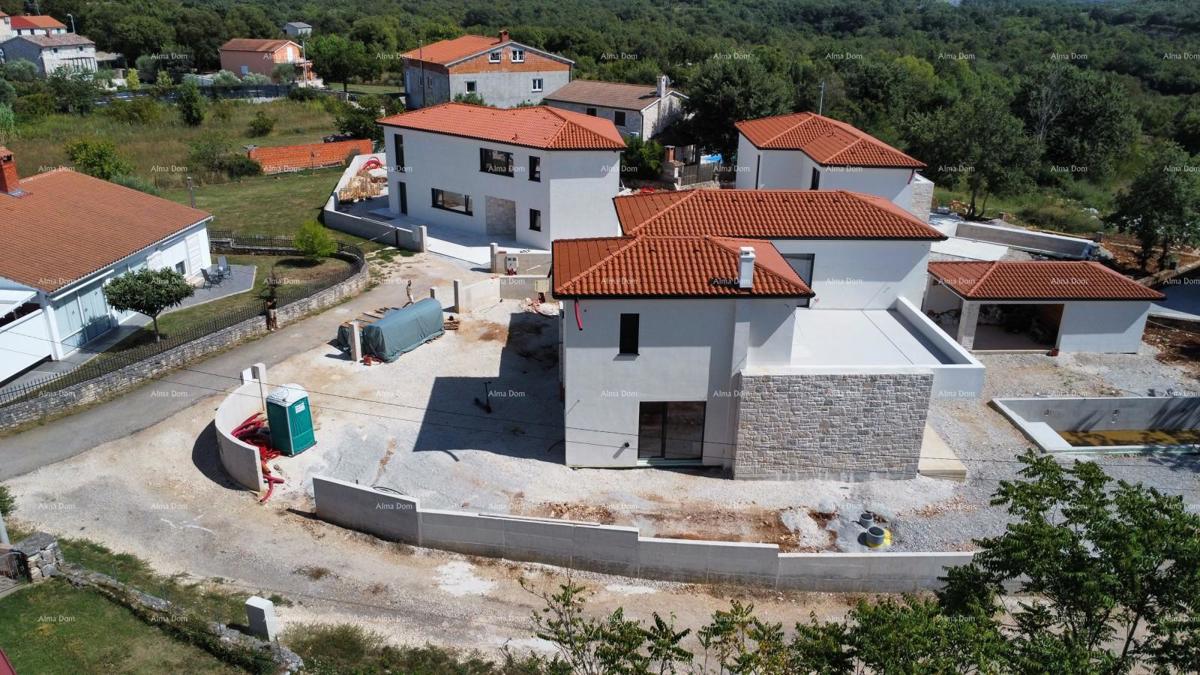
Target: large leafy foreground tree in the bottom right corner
1115 571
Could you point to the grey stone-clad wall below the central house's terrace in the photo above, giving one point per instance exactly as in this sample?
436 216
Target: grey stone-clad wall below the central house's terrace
837 427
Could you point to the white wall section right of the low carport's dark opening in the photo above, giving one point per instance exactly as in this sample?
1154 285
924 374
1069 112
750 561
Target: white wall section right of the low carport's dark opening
1107 327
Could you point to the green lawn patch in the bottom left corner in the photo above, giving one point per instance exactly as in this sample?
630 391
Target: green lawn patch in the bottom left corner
55 628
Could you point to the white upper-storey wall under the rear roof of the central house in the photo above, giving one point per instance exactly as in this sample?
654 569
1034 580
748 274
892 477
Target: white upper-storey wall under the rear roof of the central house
863 274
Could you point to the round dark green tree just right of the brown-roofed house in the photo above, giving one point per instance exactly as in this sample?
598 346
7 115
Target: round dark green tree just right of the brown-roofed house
728 91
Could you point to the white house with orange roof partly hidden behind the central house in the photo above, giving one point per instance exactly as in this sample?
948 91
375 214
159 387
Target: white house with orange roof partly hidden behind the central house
812 152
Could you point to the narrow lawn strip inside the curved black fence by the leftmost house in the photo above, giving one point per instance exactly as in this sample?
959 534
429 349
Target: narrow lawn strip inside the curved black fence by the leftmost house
291 271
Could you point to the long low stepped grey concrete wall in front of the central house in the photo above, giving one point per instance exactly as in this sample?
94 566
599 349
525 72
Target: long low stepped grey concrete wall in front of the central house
622 551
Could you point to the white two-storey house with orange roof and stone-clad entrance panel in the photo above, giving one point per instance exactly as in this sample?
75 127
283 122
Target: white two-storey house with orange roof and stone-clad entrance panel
532 175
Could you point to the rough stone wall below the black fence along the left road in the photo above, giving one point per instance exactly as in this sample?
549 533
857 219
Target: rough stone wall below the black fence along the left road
134 375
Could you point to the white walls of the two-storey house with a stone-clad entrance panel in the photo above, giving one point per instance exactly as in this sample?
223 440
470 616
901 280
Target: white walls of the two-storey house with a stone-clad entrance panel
574 196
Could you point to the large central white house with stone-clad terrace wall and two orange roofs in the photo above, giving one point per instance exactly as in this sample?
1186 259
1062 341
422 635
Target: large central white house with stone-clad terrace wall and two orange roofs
776 333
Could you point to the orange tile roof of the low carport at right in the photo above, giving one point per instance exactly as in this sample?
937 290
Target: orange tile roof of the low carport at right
1039 280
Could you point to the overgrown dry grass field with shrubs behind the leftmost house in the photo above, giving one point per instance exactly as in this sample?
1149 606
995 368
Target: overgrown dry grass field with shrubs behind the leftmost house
159 152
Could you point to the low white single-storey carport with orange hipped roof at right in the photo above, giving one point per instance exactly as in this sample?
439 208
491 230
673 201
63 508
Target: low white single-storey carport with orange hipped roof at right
1070 307
